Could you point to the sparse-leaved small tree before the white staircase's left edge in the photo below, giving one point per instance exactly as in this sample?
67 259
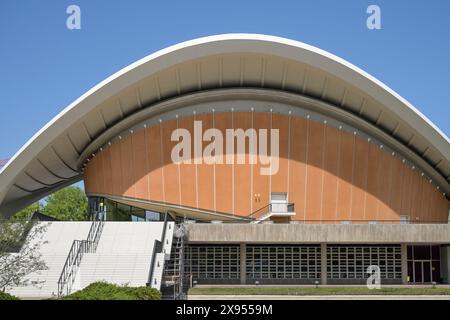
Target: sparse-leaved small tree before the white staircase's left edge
19 252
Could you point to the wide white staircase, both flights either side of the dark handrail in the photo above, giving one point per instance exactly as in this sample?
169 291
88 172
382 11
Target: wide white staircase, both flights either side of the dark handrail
123 256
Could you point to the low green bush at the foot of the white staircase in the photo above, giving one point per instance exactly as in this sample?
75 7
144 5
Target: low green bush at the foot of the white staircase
108 291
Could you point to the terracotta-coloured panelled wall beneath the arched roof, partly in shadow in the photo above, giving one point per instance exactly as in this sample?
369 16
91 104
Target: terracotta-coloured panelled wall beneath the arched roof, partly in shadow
329 174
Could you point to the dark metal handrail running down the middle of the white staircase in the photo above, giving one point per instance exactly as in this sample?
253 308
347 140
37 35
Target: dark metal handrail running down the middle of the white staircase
76 252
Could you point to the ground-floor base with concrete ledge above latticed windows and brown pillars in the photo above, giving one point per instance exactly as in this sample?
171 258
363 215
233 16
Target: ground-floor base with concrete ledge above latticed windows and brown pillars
287 254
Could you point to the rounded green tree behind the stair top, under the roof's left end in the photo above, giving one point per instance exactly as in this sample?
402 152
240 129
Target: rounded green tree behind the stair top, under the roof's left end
68 204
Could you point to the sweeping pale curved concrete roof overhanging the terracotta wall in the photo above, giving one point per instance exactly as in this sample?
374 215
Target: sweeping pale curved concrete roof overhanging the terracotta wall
53 157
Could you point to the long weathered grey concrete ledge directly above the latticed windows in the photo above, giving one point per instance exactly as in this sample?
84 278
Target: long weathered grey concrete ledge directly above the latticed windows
318 233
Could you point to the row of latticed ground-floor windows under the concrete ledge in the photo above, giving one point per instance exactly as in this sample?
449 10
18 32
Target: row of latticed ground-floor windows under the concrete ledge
287 262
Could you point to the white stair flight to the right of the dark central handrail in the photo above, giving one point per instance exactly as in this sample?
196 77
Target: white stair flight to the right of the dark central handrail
124 255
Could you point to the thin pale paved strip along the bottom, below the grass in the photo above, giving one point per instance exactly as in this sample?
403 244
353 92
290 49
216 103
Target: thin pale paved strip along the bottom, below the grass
329 297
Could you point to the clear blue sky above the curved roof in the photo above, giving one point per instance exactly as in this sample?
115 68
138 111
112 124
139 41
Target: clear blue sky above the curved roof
44 66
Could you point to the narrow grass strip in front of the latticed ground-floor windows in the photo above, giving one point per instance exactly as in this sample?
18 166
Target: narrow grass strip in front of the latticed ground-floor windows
316 291
